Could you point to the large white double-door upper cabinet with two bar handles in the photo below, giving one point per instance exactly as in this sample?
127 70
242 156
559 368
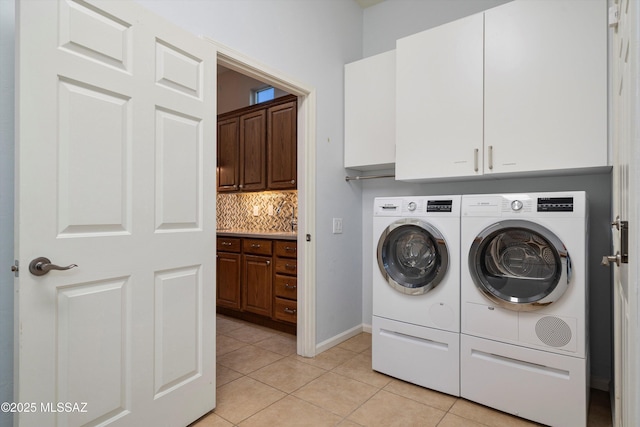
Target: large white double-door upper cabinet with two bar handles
520 88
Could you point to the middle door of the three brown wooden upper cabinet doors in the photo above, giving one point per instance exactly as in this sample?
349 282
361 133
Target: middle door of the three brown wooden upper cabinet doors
252 151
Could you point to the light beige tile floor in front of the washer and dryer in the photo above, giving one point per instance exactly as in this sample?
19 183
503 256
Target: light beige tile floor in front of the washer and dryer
262 382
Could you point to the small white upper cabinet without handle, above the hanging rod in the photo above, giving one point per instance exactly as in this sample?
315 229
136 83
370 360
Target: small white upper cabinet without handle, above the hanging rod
370 113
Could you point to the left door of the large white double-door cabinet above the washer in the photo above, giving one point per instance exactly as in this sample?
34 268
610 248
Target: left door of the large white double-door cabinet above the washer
439 101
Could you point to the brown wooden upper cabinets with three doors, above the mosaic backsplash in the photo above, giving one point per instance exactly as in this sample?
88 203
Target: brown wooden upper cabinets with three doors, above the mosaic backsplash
257 147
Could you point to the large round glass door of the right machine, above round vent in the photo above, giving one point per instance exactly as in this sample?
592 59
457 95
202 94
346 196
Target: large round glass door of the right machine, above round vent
520 265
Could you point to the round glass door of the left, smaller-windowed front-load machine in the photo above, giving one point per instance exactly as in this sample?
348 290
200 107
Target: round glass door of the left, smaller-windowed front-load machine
412 256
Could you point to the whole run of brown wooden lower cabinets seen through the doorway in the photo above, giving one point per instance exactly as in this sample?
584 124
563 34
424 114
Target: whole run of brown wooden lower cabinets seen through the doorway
256 281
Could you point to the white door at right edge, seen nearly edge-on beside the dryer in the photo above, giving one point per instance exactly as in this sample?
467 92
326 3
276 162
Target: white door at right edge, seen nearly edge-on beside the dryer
626 140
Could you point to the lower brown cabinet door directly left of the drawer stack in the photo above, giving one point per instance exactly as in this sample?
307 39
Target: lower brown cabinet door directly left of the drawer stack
257 284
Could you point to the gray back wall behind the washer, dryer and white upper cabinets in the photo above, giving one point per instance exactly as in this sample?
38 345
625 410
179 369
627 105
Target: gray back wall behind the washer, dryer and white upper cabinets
393 19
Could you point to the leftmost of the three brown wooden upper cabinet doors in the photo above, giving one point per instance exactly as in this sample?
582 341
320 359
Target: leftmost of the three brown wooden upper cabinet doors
228 154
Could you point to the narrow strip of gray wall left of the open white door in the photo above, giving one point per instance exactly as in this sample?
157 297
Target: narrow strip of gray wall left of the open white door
6 203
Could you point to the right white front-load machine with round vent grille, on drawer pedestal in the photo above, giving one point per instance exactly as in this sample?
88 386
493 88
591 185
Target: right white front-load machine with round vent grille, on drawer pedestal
524 305
